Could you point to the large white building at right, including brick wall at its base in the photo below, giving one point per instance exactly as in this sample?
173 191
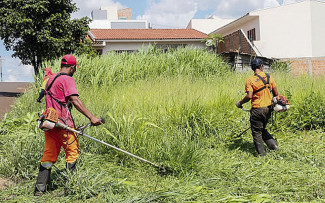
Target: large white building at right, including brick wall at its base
293 32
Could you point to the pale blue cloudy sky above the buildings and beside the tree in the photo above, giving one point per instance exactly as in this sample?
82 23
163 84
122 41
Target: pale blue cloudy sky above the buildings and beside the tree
160 14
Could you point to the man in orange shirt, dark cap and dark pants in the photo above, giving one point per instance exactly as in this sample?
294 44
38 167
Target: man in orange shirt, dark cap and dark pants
259 88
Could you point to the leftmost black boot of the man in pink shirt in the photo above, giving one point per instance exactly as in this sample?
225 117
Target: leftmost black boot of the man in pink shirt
42 181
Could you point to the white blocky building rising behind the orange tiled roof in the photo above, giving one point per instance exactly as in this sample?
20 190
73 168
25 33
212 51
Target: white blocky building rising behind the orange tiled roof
109 17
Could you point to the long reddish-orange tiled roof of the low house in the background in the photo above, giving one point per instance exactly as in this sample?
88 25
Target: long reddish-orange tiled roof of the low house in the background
145 34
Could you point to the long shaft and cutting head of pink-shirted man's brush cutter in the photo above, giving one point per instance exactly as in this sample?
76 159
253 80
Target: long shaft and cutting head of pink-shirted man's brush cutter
162 170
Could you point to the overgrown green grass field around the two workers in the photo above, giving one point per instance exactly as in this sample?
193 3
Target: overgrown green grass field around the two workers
176 109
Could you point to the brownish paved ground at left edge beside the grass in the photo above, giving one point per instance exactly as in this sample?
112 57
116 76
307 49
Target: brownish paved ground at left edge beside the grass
9 91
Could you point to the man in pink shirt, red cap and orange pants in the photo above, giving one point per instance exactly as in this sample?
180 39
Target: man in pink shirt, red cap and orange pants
61 91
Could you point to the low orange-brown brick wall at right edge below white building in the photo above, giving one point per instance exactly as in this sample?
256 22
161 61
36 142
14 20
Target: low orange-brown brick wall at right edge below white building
310 65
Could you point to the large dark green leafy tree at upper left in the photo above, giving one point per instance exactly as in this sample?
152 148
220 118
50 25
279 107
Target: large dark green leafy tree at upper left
41 30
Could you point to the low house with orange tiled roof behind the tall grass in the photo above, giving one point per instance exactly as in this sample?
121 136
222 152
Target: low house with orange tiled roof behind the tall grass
129 40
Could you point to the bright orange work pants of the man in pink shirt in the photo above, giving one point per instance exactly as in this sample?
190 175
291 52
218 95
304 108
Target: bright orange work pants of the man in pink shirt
57 138
